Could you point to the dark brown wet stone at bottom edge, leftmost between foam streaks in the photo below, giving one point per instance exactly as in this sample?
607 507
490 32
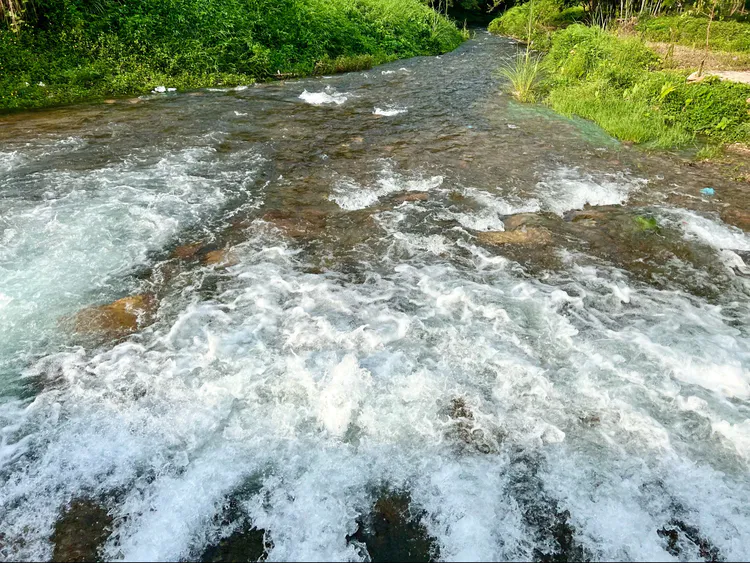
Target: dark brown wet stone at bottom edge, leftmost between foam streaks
81 531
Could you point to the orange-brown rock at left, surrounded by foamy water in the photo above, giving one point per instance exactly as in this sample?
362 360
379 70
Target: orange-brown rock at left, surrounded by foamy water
118 319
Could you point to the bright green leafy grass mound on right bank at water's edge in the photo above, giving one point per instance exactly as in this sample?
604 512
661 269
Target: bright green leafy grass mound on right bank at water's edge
616 83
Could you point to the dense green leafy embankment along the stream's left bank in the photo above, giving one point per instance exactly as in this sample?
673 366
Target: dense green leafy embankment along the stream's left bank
68 51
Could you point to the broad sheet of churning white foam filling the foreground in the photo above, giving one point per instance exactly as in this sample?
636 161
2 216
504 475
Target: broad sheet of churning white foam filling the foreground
315 390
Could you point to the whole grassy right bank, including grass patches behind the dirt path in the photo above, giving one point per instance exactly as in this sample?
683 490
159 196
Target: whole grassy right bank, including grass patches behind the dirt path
623 85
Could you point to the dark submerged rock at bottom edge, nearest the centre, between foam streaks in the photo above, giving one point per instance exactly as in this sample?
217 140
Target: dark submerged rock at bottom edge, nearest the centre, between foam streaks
393 531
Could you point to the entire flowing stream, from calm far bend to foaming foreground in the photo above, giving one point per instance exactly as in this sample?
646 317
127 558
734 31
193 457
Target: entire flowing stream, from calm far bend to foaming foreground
363 373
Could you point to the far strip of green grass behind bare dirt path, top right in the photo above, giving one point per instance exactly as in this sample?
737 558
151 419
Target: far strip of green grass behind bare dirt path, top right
690 30
